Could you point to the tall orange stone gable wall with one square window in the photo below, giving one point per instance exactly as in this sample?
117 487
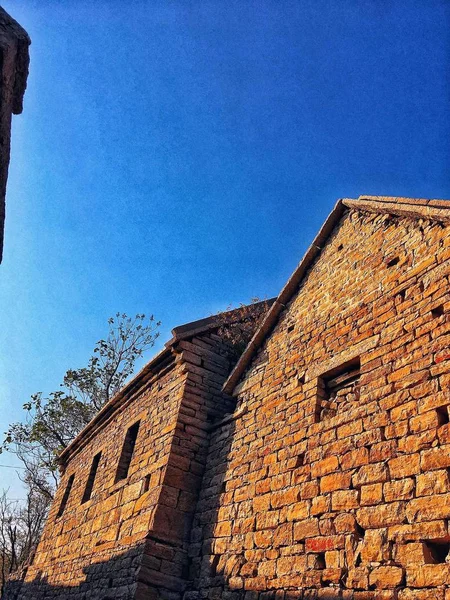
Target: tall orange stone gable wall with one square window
305 497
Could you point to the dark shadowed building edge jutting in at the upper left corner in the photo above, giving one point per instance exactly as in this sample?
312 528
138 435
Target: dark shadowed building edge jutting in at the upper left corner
14 60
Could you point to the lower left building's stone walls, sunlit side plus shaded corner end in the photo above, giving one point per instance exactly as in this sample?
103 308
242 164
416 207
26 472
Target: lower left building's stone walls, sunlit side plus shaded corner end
130 540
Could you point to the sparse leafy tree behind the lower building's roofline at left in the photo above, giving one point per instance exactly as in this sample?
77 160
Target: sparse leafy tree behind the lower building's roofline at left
52 422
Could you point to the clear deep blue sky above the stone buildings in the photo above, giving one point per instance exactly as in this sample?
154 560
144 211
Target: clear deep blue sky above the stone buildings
174 157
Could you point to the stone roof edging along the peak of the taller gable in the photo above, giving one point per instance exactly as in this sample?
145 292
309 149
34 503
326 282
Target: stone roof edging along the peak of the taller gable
417 208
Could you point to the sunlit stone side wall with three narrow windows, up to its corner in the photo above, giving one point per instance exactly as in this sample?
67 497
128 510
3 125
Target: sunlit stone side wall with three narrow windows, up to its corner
110 529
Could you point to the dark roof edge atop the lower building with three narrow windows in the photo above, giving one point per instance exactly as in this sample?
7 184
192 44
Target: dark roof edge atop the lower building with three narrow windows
160 364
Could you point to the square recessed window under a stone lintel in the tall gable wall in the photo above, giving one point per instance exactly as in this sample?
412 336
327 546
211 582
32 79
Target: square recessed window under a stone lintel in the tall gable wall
337 389
